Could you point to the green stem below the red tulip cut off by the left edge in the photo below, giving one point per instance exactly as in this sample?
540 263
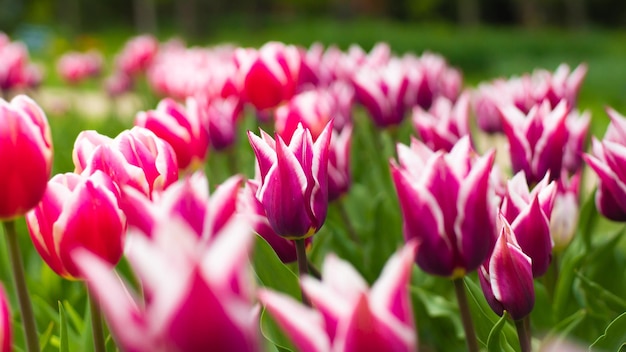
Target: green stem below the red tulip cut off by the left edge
28 318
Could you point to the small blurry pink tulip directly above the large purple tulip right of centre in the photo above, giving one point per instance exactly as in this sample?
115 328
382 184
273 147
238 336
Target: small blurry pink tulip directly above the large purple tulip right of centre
444 123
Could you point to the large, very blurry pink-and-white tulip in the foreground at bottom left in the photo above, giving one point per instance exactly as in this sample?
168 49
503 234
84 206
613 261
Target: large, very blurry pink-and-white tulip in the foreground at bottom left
197 296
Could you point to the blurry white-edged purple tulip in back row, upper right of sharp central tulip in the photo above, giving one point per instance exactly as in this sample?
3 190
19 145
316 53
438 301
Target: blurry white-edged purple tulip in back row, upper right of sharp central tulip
382 91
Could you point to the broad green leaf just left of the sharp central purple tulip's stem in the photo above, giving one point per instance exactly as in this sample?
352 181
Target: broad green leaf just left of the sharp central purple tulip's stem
271 272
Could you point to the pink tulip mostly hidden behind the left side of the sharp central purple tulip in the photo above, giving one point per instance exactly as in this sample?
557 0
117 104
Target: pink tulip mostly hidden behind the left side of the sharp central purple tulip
252 210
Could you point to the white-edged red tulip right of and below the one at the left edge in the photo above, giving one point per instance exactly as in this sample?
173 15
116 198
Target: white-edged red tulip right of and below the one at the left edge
77 212
